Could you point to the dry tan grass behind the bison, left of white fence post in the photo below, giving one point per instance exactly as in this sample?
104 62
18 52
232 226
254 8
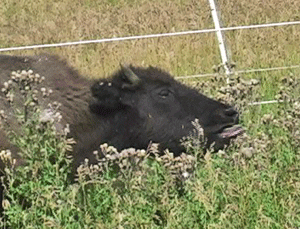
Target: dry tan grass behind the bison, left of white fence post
31 23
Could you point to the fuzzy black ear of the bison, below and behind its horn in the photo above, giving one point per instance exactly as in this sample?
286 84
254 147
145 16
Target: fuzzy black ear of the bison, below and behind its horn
105 98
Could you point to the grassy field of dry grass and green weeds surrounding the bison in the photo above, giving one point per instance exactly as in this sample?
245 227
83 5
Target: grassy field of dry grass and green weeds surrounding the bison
254 183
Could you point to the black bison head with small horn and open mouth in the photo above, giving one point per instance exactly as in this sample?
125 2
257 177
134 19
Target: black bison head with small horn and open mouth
141 105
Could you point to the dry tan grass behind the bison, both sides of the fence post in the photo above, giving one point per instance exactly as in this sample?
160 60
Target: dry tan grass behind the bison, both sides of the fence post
35 22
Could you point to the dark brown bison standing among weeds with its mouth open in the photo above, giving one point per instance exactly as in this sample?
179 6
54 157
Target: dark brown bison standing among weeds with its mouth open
133 107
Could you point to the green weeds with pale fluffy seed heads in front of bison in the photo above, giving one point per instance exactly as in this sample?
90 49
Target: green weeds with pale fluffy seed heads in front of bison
254 183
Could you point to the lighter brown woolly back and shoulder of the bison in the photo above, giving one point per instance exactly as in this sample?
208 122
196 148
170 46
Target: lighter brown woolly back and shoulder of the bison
69 88
